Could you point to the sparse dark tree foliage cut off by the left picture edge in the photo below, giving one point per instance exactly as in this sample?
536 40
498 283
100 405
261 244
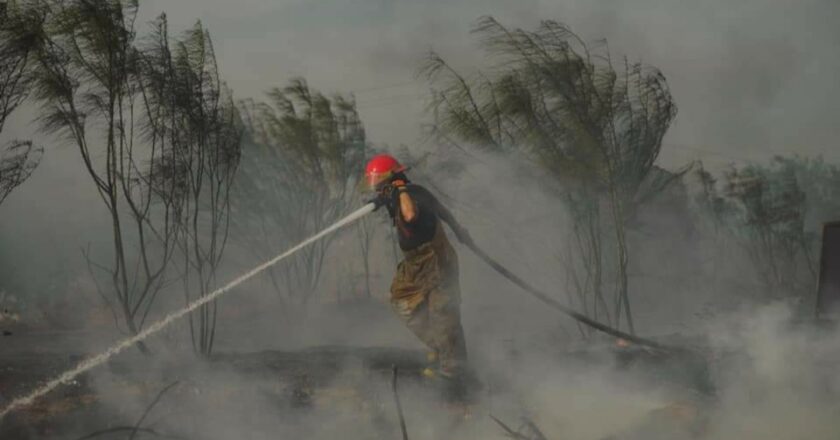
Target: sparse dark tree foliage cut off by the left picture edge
18 158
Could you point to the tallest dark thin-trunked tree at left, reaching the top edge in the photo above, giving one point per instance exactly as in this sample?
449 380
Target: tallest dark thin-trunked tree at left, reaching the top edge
85 79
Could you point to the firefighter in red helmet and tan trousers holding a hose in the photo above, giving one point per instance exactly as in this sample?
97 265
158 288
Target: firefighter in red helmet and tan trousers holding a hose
425 292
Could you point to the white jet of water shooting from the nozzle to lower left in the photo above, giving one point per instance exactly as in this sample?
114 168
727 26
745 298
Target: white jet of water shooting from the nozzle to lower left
101 358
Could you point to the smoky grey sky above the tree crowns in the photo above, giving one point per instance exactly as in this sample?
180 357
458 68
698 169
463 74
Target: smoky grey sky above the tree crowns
751 77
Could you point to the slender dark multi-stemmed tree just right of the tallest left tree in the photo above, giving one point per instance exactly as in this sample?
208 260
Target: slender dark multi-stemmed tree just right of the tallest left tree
194 111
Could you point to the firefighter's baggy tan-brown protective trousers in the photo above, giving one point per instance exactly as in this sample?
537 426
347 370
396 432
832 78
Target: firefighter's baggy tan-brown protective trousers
425 294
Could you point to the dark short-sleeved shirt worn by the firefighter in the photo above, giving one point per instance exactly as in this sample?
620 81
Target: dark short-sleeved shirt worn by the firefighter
428 210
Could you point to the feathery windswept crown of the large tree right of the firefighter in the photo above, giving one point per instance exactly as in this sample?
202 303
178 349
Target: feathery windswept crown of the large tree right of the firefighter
570 109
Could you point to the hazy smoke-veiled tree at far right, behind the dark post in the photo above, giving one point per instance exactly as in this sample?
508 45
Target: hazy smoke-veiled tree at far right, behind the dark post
774 213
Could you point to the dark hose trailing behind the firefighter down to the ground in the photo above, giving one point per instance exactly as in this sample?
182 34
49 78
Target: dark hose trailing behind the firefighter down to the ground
560 307
